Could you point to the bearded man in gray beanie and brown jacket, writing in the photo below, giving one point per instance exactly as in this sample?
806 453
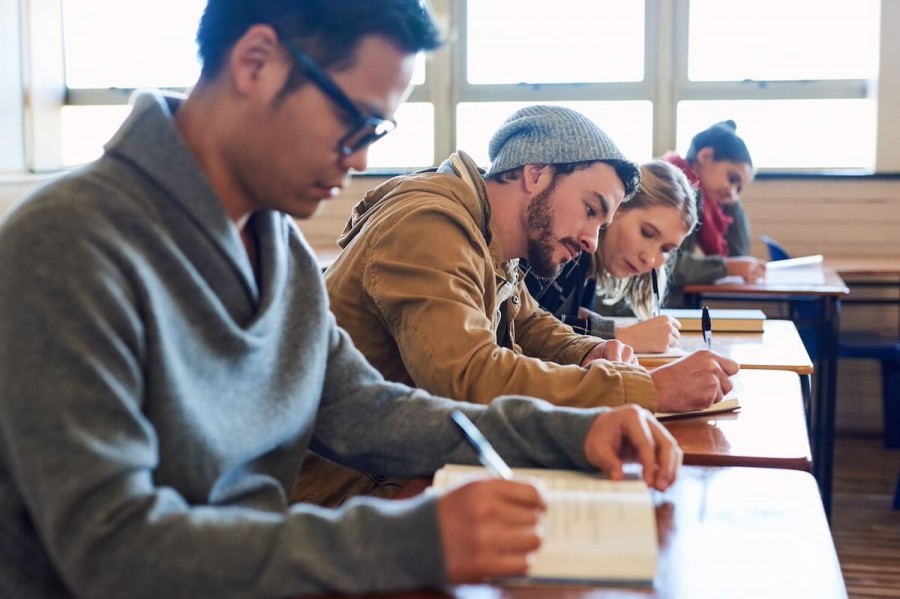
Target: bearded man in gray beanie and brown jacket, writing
429 289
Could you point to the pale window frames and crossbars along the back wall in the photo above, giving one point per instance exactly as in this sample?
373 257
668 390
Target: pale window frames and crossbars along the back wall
665 83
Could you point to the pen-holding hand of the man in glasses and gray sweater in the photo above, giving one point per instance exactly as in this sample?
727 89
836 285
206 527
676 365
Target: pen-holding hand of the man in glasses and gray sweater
488 528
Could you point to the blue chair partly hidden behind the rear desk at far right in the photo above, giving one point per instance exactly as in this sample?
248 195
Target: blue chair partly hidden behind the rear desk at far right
864 346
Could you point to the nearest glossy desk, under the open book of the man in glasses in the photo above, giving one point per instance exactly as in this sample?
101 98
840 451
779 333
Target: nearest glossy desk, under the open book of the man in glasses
724 532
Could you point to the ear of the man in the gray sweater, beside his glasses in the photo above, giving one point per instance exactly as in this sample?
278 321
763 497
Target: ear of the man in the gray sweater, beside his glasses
256 62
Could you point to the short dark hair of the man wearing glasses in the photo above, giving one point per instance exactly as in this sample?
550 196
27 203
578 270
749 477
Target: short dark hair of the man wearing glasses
328 30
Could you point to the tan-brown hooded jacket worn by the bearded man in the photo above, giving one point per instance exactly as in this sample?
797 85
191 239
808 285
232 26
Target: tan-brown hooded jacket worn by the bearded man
418 287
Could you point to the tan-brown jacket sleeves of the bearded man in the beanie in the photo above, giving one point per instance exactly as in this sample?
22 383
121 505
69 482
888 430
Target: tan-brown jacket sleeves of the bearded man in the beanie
431 295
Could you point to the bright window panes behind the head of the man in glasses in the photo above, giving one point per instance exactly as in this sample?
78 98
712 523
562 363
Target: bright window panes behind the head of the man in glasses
154 47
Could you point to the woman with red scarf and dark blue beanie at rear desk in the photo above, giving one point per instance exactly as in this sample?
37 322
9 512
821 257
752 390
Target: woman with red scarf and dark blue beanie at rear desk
719 165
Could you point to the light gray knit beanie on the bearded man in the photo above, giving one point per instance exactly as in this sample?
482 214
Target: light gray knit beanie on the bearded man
545 134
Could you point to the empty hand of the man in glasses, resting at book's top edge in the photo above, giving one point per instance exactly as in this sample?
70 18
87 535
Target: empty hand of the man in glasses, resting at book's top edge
632 434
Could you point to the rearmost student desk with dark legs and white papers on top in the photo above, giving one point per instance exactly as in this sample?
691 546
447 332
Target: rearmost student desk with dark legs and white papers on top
801 287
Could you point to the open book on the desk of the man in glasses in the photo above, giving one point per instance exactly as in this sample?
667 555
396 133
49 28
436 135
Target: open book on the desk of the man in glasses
595 529
